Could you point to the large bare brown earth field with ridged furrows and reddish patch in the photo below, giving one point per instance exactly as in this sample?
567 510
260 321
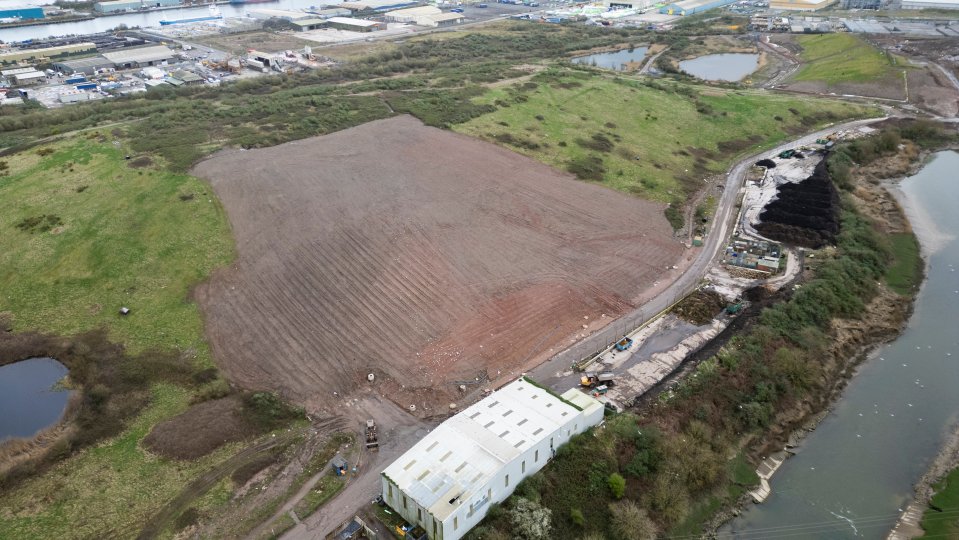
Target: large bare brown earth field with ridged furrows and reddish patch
417 254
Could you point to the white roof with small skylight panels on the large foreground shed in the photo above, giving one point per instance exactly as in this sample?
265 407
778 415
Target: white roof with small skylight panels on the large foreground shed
465 452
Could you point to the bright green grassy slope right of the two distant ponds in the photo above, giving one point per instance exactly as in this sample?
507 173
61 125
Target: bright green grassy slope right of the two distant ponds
839 58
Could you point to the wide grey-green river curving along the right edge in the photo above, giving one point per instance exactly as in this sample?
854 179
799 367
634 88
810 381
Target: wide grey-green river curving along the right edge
855 472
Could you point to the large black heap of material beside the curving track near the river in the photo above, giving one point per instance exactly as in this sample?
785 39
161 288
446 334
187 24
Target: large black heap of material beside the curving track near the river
804 213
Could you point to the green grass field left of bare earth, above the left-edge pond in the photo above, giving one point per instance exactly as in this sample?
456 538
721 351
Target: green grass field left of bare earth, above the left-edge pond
126 239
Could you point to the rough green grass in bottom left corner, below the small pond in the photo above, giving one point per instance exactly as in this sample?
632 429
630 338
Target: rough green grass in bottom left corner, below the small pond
106 491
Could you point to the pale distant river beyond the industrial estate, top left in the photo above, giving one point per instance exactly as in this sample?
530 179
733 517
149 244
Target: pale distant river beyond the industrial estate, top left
144 19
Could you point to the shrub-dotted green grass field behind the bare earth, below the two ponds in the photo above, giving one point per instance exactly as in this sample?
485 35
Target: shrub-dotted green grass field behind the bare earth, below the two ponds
658 142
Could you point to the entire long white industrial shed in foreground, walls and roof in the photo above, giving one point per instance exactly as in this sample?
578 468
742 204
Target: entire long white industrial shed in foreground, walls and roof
448 480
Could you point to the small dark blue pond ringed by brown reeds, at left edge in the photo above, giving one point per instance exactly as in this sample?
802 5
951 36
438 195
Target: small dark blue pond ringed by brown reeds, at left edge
28 401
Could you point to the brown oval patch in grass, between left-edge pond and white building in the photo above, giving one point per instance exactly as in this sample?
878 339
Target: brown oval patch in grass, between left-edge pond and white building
201 429
